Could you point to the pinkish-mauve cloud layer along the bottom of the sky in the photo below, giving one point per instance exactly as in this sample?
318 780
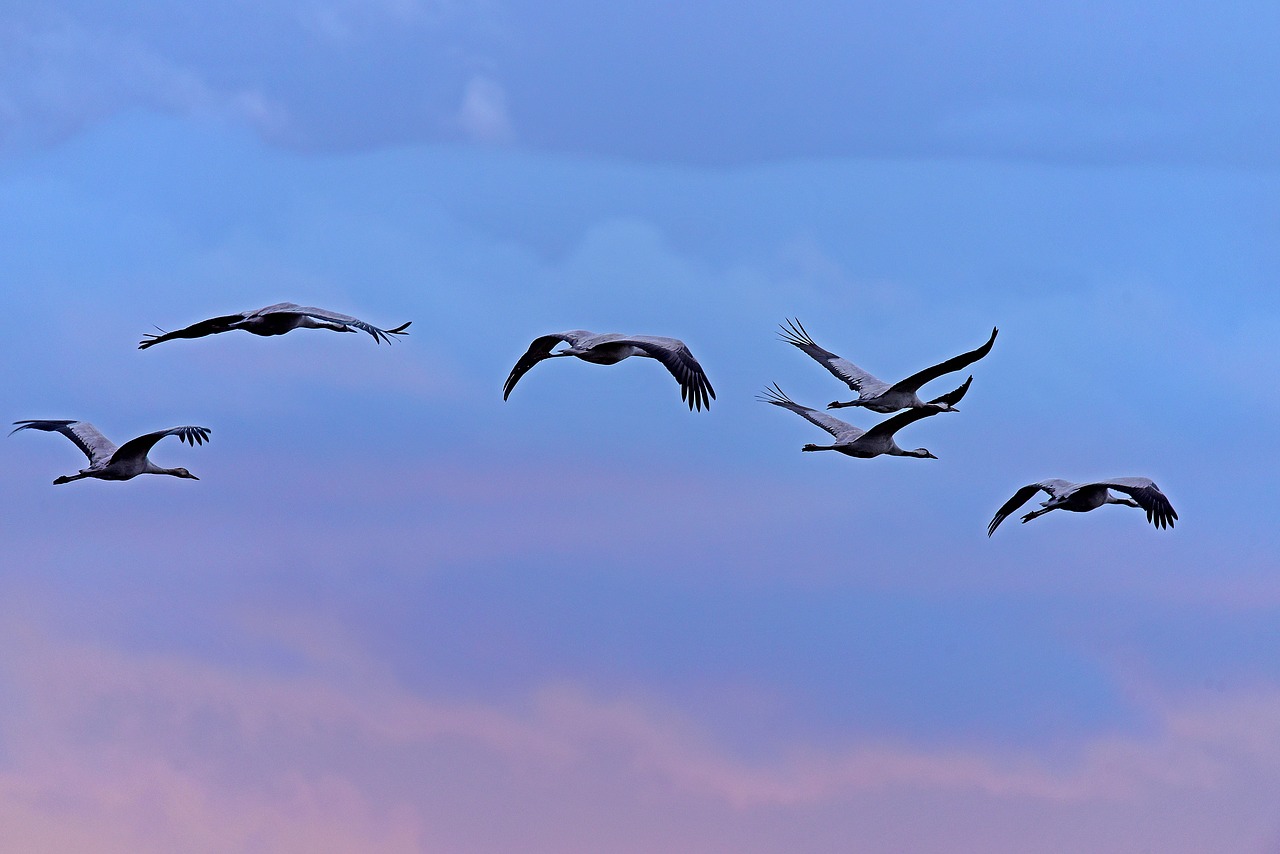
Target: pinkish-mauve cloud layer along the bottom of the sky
112 751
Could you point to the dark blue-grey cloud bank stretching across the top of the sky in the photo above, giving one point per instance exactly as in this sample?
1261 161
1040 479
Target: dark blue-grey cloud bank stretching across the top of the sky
711 85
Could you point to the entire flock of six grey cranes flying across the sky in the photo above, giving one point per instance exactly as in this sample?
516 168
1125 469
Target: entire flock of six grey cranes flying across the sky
900 400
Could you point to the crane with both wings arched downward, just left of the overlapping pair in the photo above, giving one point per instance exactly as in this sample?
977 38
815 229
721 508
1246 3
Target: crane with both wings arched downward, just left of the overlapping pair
611 349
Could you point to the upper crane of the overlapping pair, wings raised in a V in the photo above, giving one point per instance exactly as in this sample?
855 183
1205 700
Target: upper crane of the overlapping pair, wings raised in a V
877 395
